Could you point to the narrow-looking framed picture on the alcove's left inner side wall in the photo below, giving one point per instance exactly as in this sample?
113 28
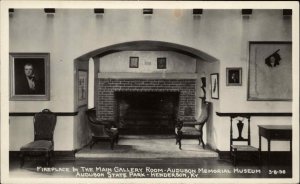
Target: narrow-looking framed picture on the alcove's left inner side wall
82 84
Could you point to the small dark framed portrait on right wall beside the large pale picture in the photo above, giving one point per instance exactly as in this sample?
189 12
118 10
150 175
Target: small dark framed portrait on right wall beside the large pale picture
233 76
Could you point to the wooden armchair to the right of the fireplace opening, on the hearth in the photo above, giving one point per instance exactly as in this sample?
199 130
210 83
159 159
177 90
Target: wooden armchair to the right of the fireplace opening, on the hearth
192 128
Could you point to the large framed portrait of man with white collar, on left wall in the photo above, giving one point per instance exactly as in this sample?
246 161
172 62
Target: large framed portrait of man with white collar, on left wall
29 76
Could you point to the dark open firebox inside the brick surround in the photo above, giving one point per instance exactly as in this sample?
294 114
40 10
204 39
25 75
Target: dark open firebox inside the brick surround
147 112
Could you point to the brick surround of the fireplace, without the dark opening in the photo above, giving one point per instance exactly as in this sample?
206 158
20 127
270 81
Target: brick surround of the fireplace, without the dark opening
106 88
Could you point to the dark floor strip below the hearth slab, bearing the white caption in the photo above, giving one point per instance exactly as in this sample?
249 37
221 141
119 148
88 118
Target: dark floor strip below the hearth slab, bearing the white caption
148 168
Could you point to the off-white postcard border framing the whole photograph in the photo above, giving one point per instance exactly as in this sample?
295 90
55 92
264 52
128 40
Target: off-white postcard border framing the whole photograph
5 5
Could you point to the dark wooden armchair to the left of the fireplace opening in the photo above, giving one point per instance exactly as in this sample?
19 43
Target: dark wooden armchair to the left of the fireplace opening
102 130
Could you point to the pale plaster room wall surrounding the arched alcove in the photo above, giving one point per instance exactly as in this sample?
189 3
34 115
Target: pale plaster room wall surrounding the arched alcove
223 34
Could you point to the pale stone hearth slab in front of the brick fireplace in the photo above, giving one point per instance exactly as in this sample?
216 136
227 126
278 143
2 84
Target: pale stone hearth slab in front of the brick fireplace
150 146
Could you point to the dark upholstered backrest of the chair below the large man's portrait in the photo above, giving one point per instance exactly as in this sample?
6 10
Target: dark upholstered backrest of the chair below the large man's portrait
44 125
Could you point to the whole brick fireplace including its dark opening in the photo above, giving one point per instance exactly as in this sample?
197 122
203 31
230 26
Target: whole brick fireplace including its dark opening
145 106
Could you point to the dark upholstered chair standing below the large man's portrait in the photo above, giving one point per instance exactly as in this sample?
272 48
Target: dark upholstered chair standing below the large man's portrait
44 125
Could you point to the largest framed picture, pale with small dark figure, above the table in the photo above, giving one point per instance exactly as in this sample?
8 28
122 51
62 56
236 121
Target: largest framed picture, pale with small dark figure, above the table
270 71
